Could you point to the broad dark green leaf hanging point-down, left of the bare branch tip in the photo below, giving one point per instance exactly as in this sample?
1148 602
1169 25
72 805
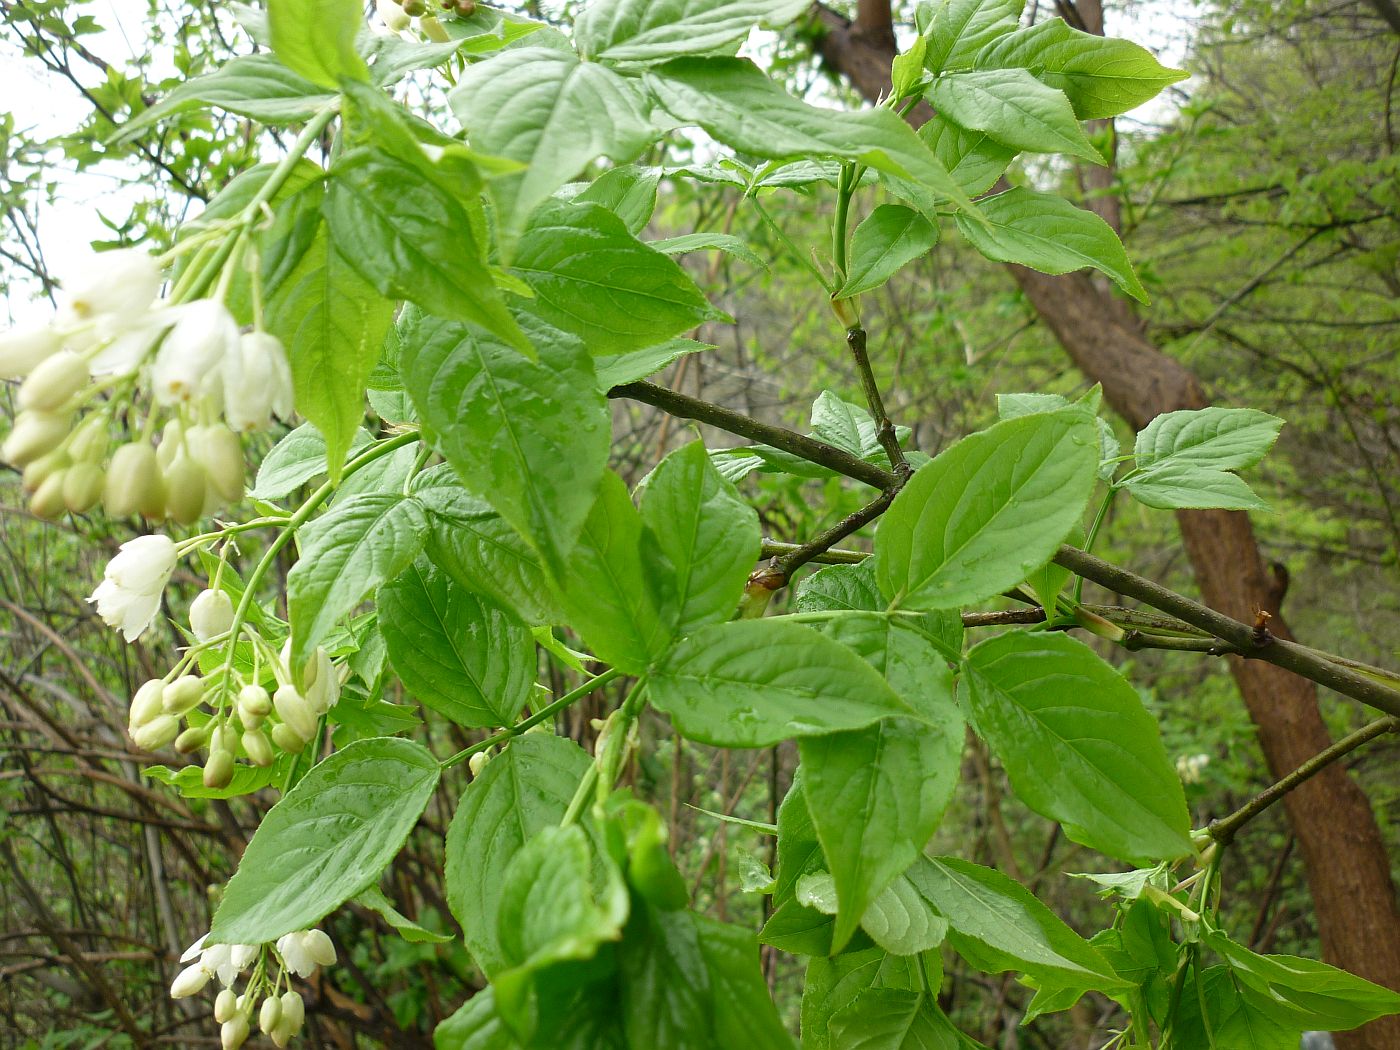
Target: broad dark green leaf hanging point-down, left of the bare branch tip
528 437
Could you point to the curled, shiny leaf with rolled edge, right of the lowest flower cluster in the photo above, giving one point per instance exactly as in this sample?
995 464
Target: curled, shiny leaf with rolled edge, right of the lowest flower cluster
551 913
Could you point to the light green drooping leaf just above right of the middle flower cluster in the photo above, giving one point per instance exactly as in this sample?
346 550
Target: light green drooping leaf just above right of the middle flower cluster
346 554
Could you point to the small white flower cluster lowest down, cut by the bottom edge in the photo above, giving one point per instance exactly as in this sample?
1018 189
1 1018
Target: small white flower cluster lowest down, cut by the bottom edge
282 1014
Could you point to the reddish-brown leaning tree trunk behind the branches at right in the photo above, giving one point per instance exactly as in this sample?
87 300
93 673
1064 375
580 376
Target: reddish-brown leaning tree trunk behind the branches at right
1345 856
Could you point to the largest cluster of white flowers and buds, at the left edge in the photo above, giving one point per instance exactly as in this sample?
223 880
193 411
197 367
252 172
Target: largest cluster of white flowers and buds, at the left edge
206 383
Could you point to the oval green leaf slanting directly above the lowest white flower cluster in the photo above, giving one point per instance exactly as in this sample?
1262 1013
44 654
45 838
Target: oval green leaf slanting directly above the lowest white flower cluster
327 841
